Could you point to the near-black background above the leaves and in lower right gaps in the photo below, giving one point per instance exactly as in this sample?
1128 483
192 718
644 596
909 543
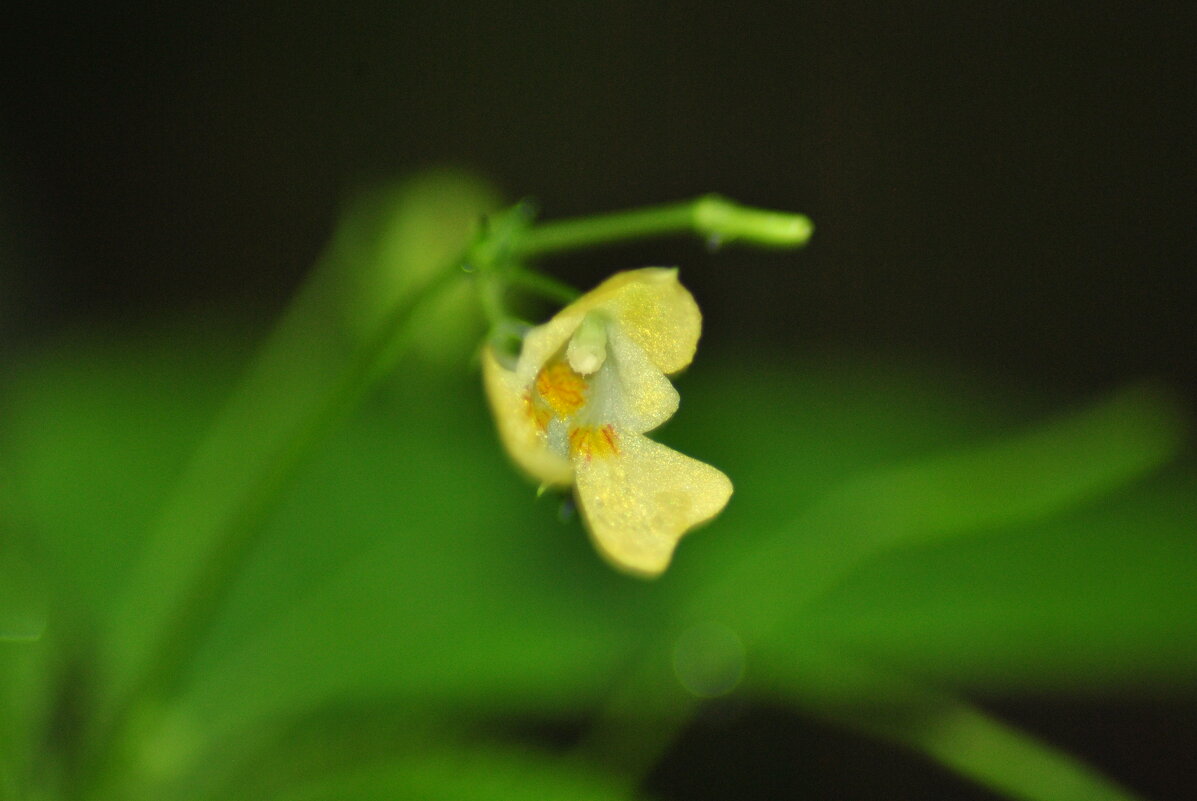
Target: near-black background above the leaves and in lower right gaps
1005 189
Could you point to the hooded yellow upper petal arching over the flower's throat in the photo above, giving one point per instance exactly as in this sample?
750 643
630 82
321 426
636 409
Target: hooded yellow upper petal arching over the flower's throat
649 306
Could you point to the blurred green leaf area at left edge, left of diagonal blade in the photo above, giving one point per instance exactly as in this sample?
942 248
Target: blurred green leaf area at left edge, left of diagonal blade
95 433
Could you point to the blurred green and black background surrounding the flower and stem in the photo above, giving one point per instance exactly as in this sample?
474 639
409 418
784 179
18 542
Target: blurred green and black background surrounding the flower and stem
957 423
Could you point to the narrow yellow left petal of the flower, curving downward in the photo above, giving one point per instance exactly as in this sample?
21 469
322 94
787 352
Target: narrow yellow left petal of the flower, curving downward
525 441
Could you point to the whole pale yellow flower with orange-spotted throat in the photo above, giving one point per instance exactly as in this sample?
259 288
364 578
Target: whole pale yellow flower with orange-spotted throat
575 406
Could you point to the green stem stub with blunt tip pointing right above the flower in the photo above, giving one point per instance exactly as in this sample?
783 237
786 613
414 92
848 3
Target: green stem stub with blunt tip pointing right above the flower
713 217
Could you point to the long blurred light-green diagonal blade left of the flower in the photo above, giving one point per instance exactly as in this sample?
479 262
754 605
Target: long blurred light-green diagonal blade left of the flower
306 378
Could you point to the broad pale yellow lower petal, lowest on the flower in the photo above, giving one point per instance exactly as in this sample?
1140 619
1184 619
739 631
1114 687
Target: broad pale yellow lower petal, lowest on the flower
640 501
